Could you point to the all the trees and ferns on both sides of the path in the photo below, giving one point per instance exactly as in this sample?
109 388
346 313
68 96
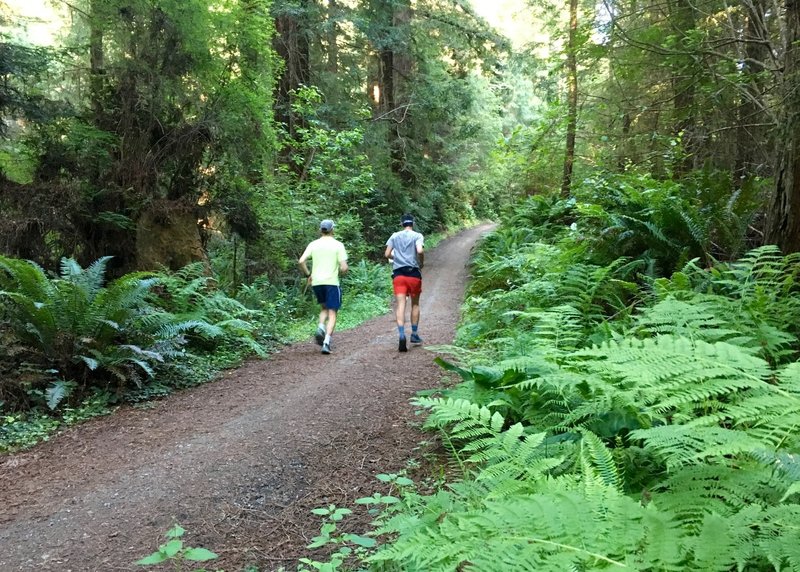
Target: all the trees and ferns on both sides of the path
628 349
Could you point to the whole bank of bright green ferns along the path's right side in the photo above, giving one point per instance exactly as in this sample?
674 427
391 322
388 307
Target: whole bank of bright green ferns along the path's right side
608 418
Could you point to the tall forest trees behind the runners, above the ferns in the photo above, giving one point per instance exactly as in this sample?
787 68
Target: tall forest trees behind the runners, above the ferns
162 133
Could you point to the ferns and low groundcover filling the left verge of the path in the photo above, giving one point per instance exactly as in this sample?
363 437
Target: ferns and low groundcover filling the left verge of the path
77 347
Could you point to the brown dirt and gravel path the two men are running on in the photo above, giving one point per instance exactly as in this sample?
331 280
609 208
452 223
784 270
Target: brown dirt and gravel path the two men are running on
240 462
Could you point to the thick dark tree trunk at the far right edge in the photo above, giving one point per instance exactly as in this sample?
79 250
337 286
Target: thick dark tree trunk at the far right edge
783 218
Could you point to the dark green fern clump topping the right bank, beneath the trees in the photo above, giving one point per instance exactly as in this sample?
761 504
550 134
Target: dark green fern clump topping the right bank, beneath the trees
664 223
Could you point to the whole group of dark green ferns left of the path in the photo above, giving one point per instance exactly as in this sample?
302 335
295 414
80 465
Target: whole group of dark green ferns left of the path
77 332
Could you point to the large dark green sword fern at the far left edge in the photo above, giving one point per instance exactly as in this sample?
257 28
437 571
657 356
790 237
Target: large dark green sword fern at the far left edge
78 326
